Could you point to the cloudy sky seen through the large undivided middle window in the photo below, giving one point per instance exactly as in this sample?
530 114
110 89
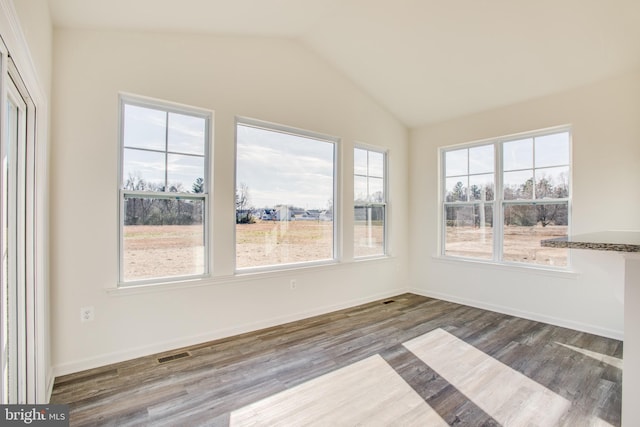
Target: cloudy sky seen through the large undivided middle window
284 169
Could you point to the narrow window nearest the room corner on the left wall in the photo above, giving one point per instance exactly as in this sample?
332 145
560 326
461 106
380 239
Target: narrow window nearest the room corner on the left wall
369 189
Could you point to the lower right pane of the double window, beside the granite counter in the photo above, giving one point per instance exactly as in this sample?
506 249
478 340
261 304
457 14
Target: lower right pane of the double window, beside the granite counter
526 225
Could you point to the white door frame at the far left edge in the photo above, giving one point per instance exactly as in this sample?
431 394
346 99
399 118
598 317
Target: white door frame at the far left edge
18 63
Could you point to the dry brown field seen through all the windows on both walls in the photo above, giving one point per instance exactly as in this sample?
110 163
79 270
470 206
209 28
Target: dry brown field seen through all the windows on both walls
158 251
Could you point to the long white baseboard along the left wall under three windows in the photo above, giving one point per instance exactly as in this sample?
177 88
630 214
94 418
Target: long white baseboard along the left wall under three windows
174 344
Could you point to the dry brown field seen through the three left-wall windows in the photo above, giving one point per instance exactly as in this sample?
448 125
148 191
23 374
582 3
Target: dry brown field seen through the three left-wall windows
157 251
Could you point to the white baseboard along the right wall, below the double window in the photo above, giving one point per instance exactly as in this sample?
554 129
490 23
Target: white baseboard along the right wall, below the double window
556 321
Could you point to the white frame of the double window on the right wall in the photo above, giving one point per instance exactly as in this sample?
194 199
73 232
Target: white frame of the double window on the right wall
499 203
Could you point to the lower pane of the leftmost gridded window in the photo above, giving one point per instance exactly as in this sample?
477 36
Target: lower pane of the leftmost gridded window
163 238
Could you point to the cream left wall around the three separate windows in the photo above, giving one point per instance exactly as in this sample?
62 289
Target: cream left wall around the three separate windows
269 79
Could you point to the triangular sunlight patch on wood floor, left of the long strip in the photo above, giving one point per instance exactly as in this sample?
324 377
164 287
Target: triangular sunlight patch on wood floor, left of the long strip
368 392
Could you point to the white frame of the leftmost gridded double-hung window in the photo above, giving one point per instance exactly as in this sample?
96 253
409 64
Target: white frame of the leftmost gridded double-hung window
169 107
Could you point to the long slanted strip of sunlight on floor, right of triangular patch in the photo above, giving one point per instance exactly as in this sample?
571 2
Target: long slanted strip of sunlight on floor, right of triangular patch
505 394
